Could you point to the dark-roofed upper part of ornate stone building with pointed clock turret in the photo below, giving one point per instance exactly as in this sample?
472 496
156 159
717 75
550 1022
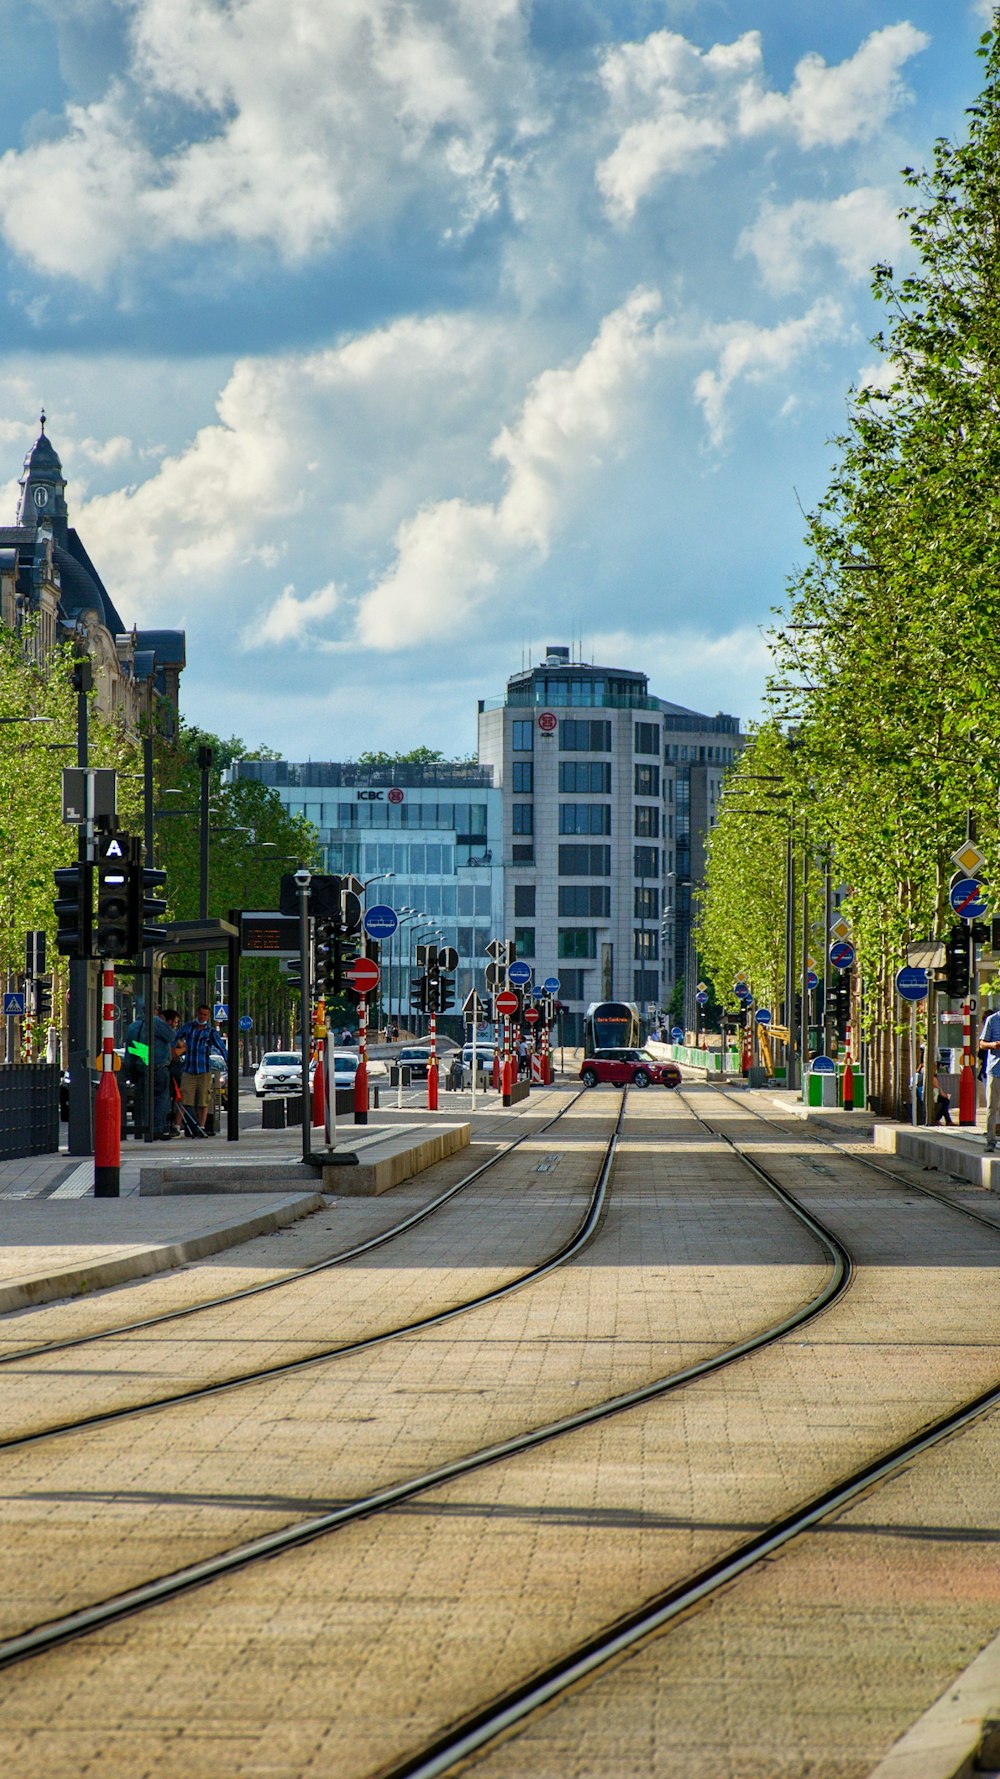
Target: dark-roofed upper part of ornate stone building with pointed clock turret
47 574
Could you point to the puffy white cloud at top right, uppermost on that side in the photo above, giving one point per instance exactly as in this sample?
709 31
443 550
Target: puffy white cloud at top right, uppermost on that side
673 106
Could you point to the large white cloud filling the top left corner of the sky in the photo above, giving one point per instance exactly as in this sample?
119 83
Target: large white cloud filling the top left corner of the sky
318 117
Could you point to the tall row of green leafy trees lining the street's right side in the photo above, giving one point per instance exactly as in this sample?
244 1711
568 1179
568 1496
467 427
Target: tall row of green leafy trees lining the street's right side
883 732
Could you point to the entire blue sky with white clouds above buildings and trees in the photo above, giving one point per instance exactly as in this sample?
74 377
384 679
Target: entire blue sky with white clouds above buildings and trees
389 342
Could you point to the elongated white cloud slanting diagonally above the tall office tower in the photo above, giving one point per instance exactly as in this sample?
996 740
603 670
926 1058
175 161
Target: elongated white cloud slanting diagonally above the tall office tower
449 554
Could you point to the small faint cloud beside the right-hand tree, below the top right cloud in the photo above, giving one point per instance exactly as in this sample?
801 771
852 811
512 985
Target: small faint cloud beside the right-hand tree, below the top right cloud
859 229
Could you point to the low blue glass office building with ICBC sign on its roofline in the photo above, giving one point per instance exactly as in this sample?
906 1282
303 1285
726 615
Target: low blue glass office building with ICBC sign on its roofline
424 839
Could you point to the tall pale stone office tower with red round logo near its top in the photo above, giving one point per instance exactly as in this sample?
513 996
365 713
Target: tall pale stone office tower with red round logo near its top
608 794
